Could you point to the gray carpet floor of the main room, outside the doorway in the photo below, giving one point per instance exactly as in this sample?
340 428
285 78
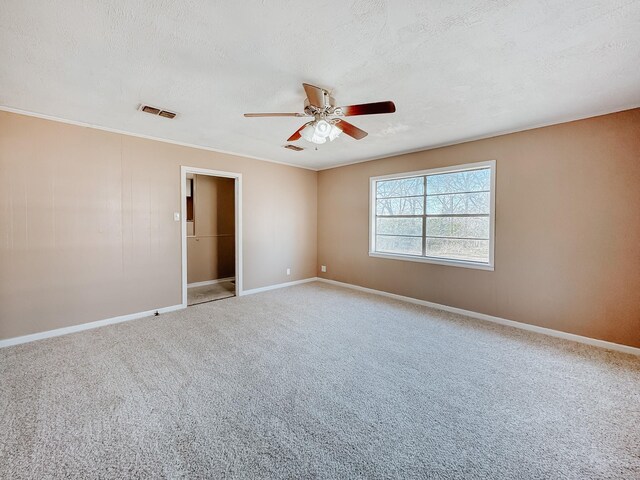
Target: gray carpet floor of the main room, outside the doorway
316 381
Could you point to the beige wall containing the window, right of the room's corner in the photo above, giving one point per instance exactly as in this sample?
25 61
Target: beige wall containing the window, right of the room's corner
567 252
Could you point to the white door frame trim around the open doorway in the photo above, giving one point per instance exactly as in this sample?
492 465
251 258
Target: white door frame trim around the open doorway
238 221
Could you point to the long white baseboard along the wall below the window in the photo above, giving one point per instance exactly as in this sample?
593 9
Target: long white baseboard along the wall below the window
490 318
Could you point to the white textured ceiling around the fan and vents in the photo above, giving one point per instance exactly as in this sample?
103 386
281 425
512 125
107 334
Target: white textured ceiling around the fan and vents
456 70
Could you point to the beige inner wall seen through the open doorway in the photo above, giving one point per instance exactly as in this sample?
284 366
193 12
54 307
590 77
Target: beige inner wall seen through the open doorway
211 251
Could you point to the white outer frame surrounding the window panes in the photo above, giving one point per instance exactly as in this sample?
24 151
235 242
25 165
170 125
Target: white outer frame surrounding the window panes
436 260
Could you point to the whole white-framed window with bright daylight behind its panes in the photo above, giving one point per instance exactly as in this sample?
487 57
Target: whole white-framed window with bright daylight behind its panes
444 215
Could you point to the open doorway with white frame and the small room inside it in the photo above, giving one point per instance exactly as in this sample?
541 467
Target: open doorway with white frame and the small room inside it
211 243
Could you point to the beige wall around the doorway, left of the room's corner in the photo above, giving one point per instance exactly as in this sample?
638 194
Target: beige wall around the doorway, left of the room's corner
87 229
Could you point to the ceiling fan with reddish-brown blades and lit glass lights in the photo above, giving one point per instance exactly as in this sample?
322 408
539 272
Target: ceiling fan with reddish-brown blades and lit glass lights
327 123
